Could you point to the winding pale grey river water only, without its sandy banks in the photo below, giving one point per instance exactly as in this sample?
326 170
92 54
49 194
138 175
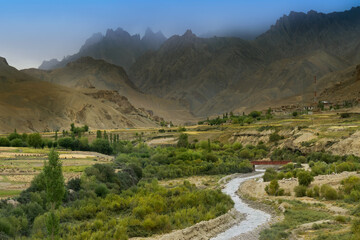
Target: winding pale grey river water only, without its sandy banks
254 217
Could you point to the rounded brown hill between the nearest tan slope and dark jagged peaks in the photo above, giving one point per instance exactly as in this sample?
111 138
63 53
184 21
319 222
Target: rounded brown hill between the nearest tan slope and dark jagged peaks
88 73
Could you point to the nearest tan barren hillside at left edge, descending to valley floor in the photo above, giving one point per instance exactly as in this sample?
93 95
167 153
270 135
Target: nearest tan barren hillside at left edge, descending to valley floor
29 104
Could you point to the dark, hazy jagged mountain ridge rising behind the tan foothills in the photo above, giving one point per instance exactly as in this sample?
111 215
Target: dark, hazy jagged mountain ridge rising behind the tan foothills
210 76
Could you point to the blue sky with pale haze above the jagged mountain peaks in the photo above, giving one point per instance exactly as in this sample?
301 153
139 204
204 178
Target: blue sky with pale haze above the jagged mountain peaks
35 30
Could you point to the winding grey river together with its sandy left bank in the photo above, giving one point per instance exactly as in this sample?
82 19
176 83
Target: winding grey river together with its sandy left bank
226 226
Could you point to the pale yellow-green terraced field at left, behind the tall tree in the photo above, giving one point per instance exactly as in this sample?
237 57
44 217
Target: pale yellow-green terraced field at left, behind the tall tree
18 166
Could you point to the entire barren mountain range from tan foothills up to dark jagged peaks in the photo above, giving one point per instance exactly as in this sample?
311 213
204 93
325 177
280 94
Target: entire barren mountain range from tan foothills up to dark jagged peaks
186 77
